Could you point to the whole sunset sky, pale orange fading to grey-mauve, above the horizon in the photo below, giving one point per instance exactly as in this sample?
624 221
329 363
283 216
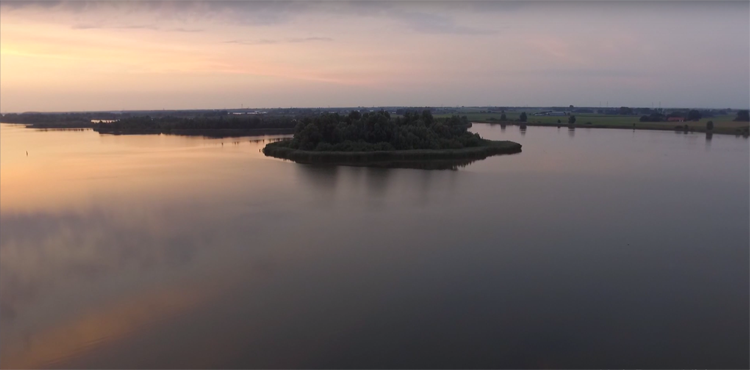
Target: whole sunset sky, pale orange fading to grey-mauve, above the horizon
76 55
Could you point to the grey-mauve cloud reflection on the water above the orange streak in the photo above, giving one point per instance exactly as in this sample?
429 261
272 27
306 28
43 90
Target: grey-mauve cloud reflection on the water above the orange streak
32 243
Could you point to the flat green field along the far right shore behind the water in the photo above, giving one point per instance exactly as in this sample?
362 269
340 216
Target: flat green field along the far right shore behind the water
722 124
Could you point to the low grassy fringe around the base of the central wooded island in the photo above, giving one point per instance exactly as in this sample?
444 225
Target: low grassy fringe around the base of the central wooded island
424 158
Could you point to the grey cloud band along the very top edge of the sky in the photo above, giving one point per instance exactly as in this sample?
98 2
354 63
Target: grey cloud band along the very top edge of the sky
428 17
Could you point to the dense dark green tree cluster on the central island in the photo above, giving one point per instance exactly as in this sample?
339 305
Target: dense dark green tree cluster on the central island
377 131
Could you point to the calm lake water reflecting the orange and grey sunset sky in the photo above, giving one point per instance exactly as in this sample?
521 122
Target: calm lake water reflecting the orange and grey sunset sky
593 249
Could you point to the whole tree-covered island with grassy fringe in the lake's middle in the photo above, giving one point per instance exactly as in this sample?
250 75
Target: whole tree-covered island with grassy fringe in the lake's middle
375 139
